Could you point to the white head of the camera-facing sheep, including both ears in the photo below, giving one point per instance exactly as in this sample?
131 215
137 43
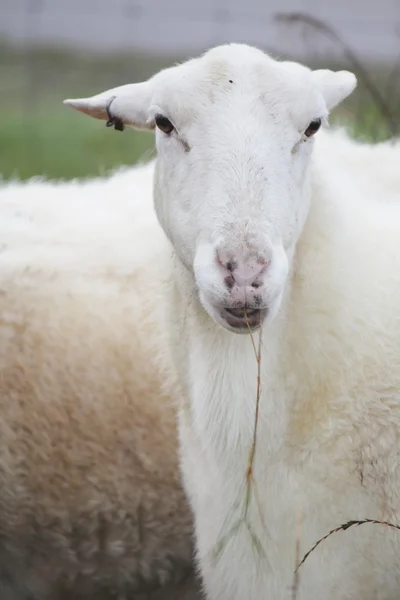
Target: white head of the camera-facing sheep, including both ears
234 133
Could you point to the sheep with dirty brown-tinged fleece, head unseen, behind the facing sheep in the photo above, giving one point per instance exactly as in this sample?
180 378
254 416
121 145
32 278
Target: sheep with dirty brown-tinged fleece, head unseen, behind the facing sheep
91 502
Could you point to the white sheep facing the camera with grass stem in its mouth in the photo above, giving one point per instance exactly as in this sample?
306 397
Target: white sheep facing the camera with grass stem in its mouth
268 231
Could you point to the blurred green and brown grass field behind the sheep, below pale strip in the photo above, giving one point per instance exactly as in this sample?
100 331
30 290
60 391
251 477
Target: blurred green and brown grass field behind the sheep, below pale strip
40 136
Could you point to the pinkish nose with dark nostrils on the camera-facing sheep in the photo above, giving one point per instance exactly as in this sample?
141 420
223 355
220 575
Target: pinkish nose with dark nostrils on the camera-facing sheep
242 273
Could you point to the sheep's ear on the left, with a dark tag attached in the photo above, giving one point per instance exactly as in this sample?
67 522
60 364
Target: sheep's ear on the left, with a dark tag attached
124 105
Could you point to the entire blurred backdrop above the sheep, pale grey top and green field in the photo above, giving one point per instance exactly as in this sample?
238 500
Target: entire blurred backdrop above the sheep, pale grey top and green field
56 49
